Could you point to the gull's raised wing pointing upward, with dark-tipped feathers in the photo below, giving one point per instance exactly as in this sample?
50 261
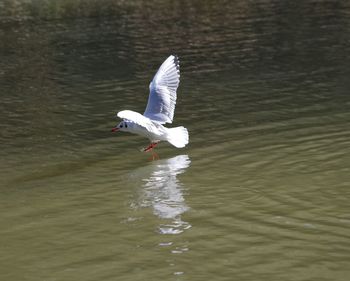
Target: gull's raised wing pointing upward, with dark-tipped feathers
162 96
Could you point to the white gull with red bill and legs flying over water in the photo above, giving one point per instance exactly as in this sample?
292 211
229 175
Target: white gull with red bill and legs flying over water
160 109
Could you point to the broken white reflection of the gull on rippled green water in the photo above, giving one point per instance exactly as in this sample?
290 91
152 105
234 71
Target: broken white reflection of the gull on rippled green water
162 191
